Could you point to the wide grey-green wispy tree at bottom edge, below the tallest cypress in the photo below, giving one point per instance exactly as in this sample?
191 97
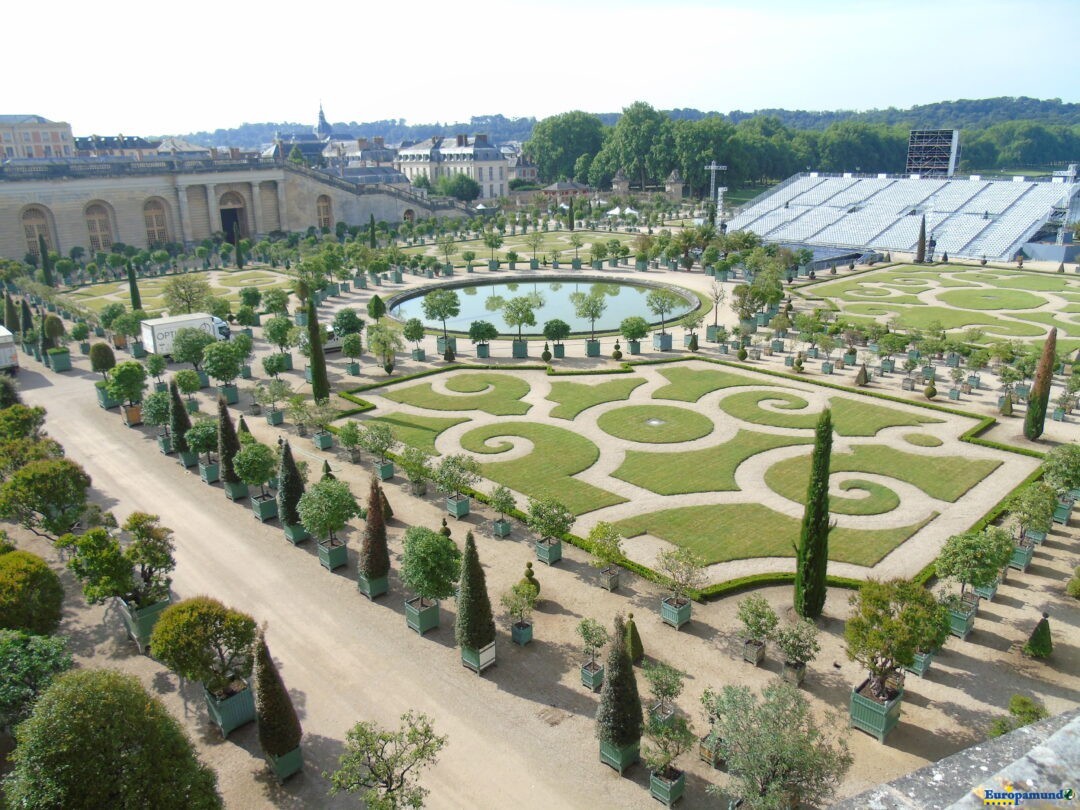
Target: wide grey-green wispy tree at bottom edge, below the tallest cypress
775 750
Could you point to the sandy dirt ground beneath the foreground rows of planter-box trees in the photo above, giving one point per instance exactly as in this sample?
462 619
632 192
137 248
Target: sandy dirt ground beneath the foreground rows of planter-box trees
523 733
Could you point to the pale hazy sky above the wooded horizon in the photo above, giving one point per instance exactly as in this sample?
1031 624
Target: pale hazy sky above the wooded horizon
168 69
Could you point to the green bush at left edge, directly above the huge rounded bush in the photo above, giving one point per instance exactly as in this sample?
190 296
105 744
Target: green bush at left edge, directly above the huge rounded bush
30 664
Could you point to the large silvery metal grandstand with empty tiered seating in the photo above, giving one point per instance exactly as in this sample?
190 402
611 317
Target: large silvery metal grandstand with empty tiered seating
971 218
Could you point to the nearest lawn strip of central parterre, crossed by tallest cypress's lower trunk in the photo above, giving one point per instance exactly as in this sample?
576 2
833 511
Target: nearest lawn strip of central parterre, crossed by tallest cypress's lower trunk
725 532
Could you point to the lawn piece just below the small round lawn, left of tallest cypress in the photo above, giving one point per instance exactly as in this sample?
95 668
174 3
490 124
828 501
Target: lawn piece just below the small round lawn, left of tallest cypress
708 470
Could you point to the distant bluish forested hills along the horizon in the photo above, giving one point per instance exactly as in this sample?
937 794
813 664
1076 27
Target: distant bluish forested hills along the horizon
963 114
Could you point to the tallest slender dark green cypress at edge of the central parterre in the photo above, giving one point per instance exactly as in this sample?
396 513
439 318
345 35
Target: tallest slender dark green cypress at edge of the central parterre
813 552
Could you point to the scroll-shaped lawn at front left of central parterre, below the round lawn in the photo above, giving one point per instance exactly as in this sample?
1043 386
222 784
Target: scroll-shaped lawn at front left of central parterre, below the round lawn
557 455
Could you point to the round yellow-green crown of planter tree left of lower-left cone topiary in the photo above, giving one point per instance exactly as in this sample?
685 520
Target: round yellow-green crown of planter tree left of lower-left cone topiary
202 640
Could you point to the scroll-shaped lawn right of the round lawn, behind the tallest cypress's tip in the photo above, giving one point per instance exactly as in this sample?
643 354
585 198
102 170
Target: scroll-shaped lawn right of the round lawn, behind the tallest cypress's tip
850 417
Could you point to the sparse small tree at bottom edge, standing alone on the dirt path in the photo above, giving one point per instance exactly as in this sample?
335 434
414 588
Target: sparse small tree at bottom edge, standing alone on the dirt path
384 766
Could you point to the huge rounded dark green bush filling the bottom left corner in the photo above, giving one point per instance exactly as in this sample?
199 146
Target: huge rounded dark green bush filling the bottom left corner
98 739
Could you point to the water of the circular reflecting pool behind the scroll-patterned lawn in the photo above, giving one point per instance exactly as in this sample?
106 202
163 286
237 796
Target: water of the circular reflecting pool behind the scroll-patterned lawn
484 301
